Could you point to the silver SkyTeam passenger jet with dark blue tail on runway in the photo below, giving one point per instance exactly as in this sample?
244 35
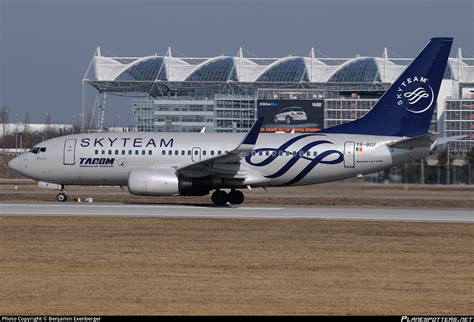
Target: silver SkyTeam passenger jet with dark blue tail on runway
395 131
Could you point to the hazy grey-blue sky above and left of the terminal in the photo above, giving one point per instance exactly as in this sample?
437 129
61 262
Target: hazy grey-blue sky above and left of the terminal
46 45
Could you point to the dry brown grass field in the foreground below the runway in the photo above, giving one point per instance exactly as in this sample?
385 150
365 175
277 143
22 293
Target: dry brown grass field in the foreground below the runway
73 265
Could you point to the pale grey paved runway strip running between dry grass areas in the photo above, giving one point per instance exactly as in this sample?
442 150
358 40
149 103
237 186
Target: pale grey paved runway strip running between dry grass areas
182 211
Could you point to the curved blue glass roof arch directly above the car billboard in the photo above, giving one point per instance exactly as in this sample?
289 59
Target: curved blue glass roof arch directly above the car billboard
288 71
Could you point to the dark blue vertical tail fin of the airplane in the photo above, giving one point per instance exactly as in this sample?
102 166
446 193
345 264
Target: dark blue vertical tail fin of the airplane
407 106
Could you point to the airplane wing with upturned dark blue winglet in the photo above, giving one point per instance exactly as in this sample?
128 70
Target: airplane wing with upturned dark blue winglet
226 164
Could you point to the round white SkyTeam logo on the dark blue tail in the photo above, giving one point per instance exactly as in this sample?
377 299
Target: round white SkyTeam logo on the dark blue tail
415 94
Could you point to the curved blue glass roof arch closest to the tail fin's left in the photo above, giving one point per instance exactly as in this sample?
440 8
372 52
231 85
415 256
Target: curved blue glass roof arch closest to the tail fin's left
362 70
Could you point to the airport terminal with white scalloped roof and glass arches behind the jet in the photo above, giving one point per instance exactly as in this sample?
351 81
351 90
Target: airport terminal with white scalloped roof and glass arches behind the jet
293 93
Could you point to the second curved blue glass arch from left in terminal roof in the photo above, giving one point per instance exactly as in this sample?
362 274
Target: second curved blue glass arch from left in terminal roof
220 70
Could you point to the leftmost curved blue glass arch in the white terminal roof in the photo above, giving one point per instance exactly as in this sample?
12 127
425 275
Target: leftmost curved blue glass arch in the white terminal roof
148 70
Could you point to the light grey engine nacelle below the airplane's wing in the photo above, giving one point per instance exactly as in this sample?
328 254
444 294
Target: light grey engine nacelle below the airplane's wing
153 183
